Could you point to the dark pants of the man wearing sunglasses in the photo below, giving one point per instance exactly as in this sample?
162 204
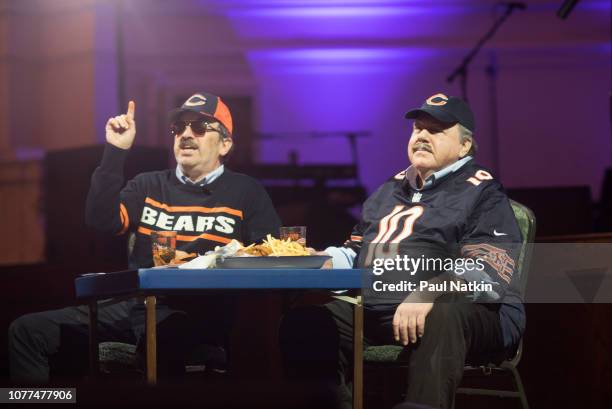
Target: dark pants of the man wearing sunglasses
56 342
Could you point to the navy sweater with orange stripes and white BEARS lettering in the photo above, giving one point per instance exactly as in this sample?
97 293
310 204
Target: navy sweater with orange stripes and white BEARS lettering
234 206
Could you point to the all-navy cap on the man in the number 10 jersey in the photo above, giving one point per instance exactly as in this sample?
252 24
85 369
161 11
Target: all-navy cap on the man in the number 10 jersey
446 109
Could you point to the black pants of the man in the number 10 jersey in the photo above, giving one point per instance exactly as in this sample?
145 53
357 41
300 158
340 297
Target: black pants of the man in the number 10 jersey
317 343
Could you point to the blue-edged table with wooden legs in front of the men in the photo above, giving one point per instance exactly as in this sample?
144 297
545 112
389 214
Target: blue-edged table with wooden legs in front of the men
150 282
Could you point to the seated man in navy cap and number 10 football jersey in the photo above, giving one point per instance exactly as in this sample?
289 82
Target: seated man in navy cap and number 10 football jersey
442 207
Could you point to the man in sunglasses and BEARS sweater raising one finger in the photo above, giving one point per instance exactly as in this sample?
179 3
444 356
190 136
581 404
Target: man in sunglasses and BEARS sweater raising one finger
206 204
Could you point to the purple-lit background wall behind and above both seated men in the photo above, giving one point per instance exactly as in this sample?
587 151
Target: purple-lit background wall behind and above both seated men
325 66
